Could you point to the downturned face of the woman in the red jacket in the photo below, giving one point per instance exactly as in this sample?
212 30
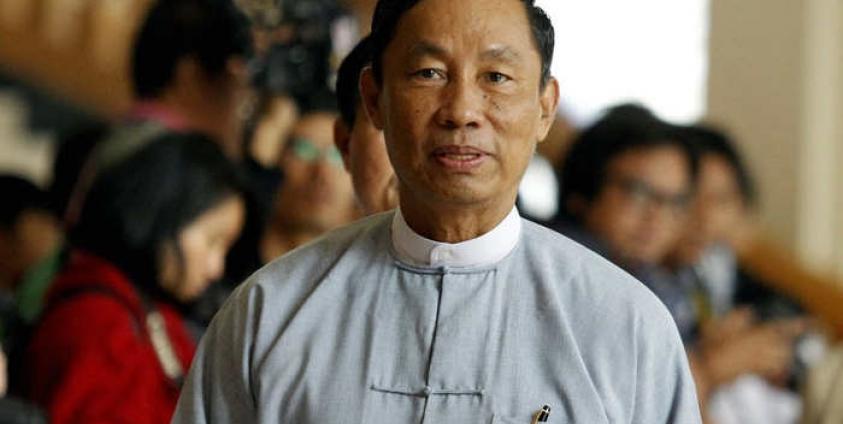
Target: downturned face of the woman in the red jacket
204 244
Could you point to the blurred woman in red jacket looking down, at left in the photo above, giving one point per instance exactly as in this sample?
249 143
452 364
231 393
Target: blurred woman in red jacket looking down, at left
153 233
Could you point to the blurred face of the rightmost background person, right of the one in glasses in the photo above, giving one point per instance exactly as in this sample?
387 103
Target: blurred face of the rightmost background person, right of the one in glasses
718 209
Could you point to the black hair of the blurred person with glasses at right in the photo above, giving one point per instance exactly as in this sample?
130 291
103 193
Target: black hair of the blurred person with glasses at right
623 128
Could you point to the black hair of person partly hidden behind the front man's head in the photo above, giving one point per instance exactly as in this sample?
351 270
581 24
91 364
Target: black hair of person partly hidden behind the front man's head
348 78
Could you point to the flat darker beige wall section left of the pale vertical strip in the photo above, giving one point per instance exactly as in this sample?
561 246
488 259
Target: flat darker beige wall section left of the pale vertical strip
754 91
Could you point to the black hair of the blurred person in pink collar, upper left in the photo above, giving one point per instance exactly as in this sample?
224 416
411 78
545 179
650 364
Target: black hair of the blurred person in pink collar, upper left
209 31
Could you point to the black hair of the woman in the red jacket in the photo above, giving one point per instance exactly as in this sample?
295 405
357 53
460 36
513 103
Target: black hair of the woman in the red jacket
141 203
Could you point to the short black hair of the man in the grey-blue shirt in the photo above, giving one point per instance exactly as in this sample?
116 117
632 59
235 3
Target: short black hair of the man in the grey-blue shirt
389 12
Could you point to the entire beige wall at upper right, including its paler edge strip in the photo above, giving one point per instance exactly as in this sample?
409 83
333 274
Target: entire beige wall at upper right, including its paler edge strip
775 80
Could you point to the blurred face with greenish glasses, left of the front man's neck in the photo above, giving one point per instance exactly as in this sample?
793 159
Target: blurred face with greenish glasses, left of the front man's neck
317 194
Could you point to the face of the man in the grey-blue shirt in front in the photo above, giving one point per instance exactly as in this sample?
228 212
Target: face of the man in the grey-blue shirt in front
460 103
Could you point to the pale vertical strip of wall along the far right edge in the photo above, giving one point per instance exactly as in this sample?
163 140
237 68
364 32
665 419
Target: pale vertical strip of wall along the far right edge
820 220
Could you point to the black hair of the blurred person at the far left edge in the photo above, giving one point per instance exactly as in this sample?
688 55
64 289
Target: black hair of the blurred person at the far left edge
19 195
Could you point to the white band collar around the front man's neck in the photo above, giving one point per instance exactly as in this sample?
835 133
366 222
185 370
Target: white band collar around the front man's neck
484 250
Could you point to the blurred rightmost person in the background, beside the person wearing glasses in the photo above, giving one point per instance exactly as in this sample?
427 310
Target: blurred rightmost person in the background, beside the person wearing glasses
747 330
